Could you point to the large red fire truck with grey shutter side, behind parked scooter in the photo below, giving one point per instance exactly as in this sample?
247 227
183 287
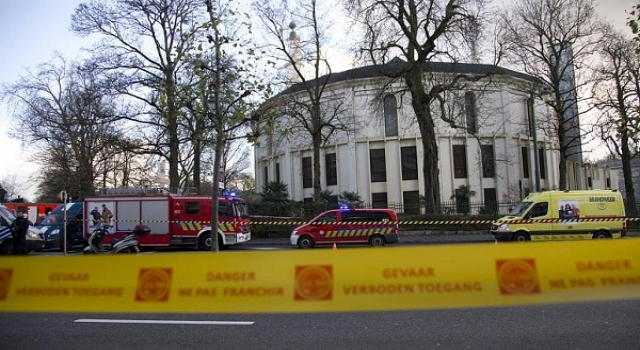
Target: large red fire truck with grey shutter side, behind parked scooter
175 220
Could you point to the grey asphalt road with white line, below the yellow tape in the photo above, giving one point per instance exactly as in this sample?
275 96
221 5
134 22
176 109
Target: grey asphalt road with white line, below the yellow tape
605 325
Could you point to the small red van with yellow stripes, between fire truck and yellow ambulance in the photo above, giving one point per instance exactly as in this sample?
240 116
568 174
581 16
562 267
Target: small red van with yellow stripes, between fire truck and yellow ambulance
376 227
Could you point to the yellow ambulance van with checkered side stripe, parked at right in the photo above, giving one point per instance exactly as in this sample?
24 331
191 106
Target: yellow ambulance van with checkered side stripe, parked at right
562 215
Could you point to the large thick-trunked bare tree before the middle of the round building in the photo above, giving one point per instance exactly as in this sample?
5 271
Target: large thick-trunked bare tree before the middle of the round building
422 32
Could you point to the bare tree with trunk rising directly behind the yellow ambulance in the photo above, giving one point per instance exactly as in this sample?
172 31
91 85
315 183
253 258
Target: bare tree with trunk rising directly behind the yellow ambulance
552 40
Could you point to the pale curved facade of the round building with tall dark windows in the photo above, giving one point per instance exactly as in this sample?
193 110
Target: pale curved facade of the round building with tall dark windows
485 140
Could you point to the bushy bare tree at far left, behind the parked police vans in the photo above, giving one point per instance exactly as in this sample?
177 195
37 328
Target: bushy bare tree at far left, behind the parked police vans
67 113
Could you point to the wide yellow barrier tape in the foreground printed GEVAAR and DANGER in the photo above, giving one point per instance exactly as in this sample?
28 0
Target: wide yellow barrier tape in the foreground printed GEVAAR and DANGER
326 280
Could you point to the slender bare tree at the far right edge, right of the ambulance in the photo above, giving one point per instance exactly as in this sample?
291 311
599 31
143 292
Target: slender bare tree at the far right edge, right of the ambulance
617 96
